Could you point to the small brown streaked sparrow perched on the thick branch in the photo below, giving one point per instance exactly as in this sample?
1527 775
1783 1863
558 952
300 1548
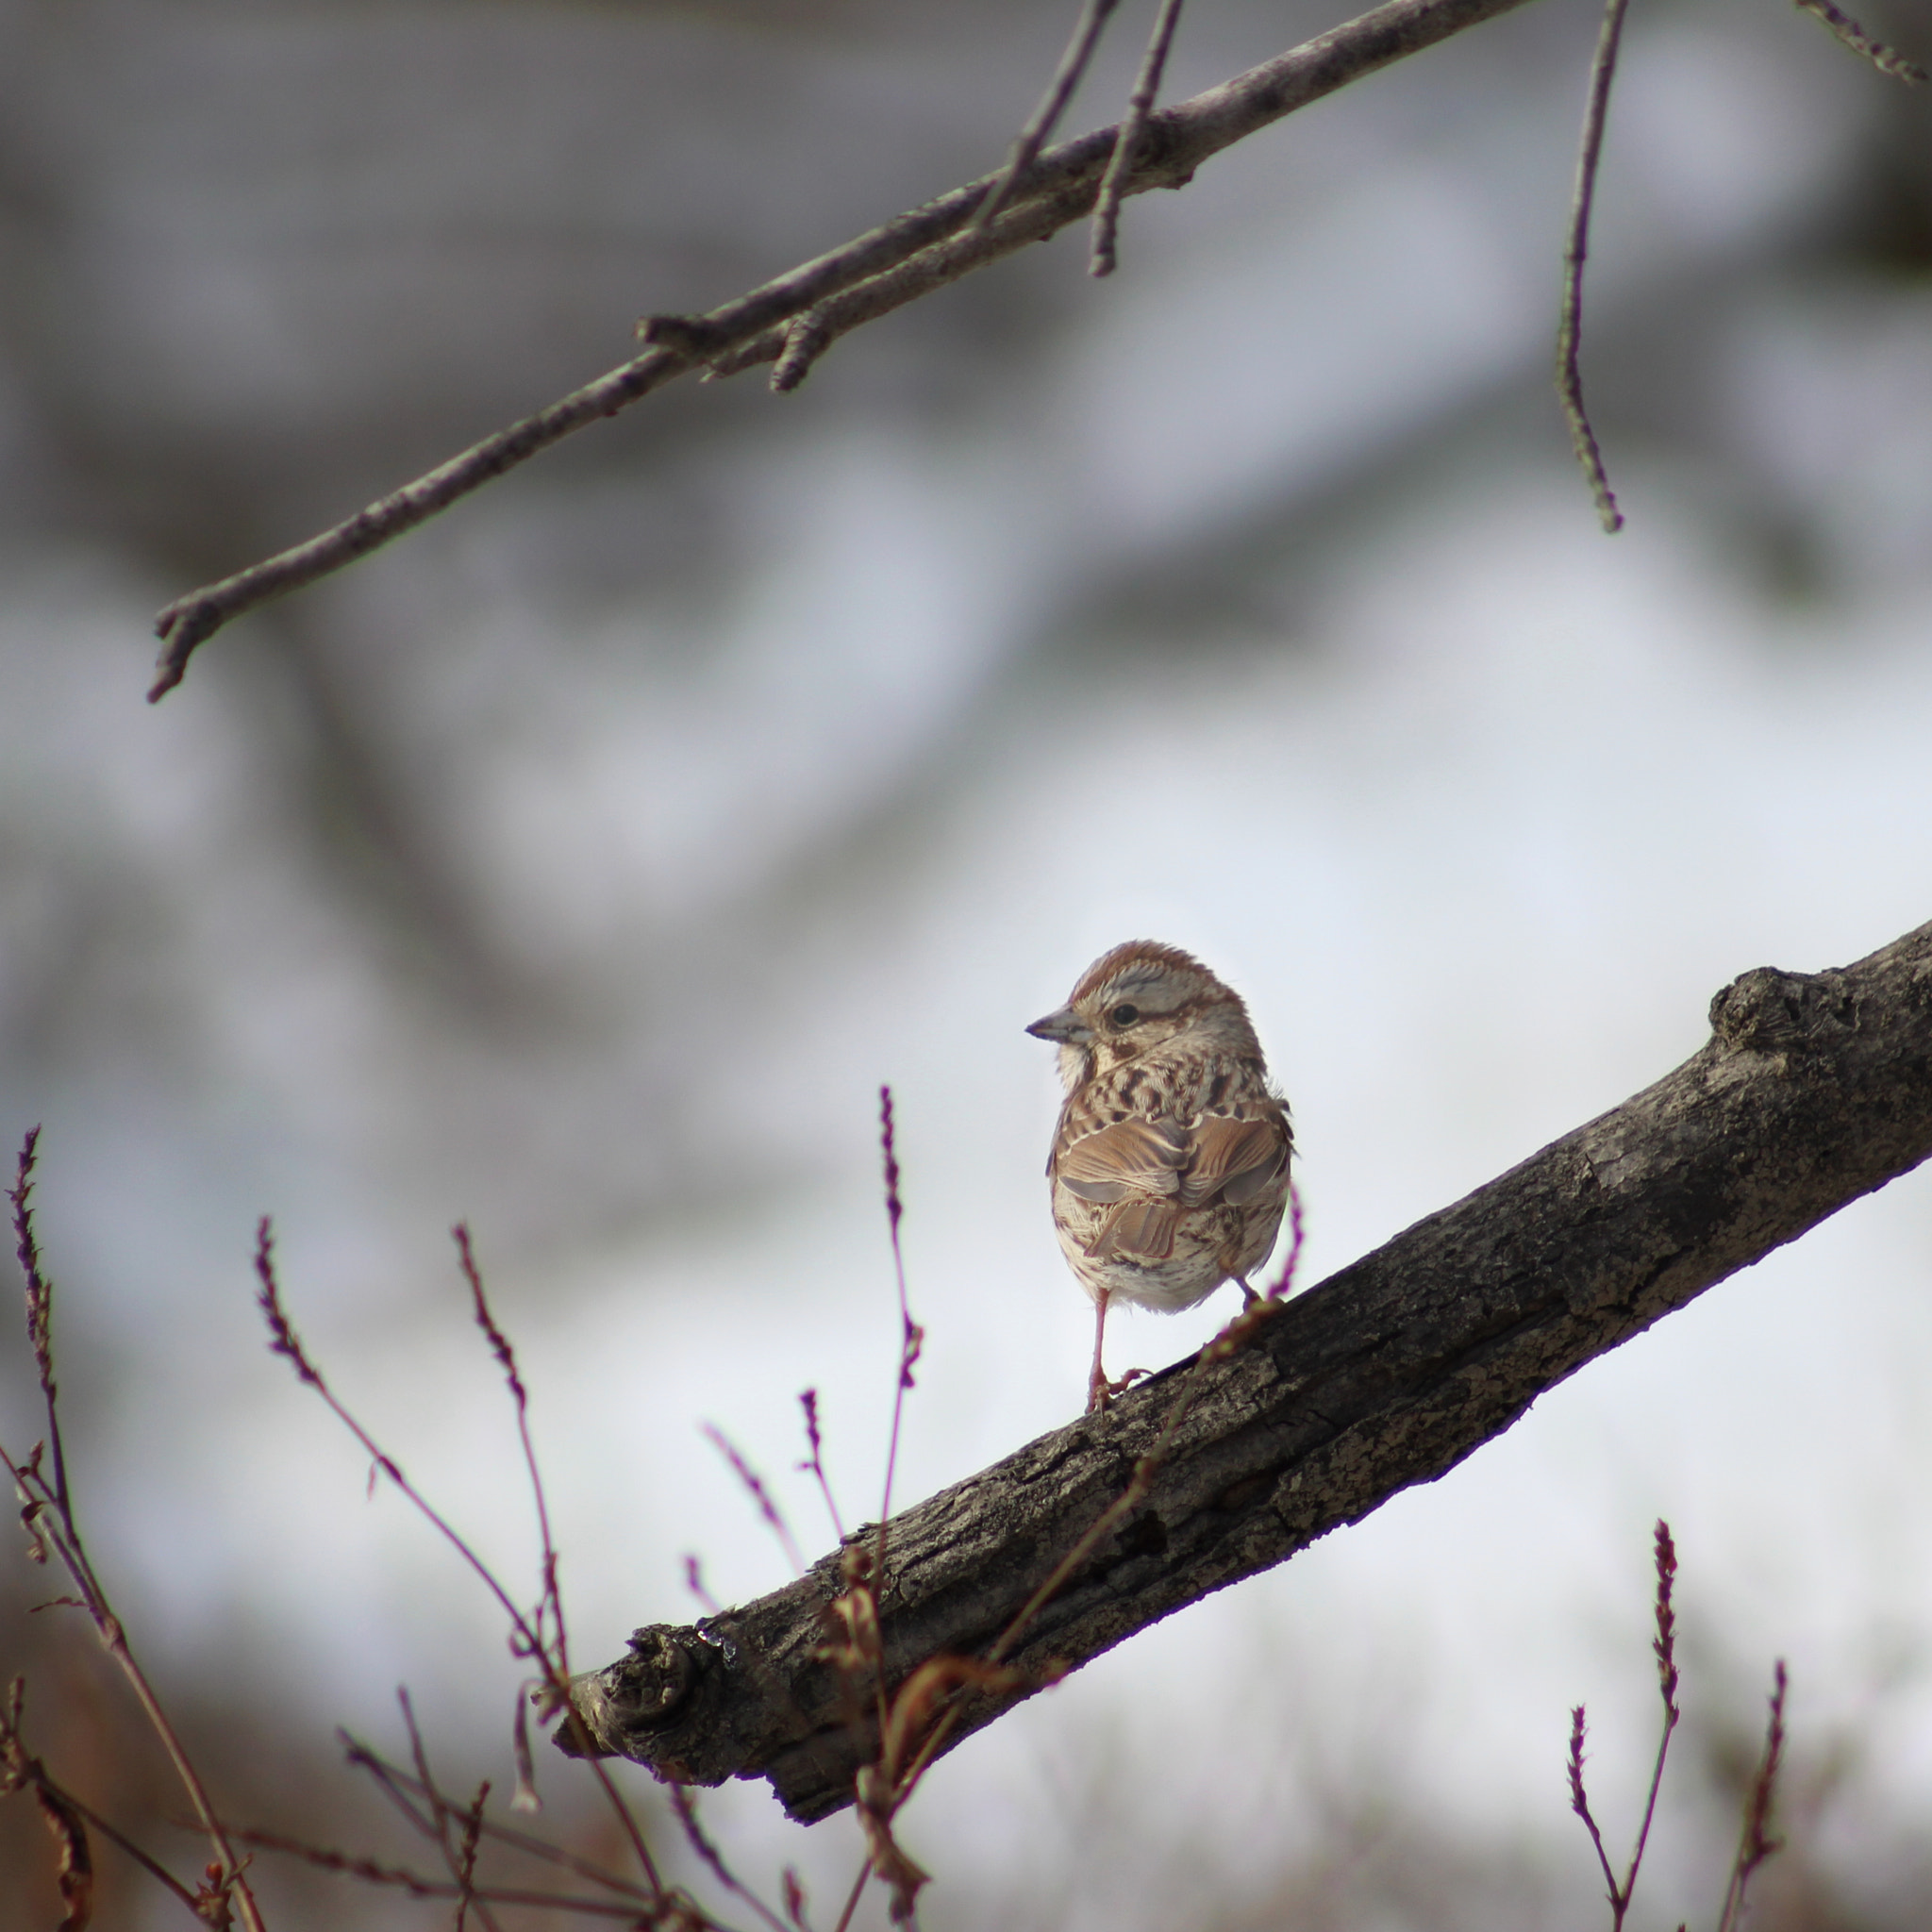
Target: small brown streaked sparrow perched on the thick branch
1170 1162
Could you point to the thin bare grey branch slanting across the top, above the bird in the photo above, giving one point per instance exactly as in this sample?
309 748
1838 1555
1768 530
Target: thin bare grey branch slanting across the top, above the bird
886 268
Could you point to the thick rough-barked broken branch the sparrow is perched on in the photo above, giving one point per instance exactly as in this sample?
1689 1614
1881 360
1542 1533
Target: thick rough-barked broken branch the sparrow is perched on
1813 1091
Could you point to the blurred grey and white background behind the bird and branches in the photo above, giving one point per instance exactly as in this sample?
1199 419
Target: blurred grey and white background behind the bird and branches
586 863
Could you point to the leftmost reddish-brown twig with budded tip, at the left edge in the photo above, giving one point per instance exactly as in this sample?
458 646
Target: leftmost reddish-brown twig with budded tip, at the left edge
47 1512
